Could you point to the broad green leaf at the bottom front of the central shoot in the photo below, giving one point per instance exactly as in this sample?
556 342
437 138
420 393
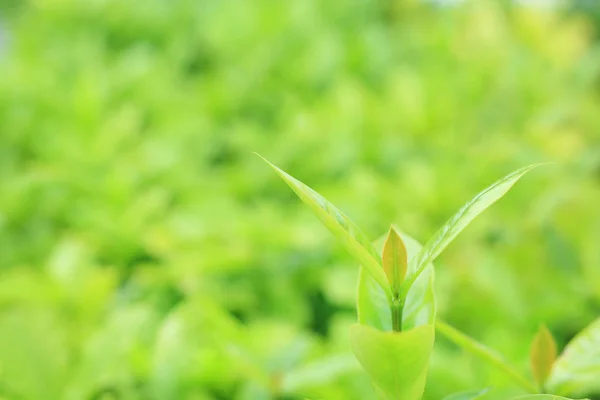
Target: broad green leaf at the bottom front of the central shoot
396 361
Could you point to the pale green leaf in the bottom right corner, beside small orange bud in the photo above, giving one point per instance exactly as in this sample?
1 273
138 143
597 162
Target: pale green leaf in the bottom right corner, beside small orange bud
577 369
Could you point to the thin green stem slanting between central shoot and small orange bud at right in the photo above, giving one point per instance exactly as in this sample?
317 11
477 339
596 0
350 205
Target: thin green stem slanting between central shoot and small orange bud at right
484 353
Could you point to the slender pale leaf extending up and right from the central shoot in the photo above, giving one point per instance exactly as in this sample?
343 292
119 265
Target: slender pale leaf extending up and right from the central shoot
461 220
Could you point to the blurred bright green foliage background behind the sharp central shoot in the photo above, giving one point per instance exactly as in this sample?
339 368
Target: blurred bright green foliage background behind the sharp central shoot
146 253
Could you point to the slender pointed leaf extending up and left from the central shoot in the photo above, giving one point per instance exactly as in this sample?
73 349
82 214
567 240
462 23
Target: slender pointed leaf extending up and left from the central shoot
346 231
